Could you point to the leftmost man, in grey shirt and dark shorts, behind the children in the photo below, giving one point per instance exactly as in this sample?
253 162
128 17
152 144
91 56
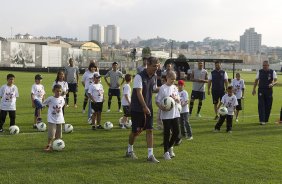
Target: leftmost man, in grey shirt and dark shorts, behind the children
71 77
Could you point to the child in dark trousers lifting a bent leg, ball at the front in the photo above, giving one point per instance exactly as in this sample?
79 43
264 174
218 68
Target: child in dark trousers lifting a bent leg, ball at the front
229 100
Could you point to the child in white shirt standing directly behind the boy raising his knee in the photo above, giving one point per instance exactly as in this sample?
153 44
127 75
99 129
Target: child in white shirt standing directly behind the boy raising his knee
238 89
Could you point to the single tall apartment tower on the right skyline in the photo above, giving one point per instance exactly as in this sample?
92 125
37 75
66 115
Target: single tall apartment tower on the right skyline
250 41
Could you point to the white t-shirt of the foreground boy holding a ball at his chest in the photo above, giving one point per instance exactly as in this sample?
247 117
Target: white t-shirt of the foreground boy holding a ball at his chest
166 91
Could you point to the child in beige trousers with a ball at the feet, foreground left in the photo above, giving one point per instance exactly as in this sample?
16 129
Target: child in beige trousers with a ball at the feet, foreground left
55 115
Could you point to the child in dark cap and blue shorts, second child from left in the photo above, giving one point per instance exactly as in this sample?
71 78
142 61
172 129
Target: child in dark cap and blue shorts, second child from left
37 96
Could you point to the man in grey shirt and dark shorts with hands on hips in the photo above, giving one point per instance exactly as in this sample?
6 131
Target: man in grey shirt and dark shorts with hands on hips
114 85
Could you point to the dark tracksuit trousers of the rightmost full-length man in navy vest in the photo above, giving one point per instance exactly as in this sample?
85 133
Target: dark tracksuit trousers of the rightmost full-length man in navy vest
264 104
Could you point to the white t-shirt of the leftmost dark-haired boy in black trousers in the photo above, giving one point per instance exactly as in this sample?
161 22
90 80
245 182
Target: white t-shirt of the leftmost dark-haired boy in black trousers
9 96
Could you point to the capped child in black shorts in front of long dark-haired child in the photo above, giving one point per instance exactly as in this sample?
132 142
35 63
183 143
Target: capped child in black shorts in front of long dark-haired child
96 95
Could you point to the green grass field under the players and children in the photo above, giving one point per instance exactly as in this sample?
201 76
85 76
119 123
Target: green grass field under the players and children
251 154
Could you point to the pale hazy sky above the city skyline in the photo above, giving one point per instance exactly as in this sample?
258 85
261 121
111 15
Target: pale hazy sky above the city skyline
180 20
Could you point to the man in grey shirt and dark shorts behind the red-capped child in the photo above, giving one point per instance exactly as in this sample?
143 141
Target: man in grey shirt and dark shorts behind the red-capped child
199 77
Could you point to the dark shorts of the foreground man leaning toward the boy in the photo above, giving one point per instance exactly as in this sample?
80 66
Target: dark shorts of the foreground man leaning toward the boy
138 121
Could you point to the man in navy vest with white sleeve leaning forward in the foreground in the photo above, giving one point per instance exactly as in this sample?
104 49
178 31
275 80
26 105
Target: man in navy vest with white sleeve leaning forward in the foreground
141 108
